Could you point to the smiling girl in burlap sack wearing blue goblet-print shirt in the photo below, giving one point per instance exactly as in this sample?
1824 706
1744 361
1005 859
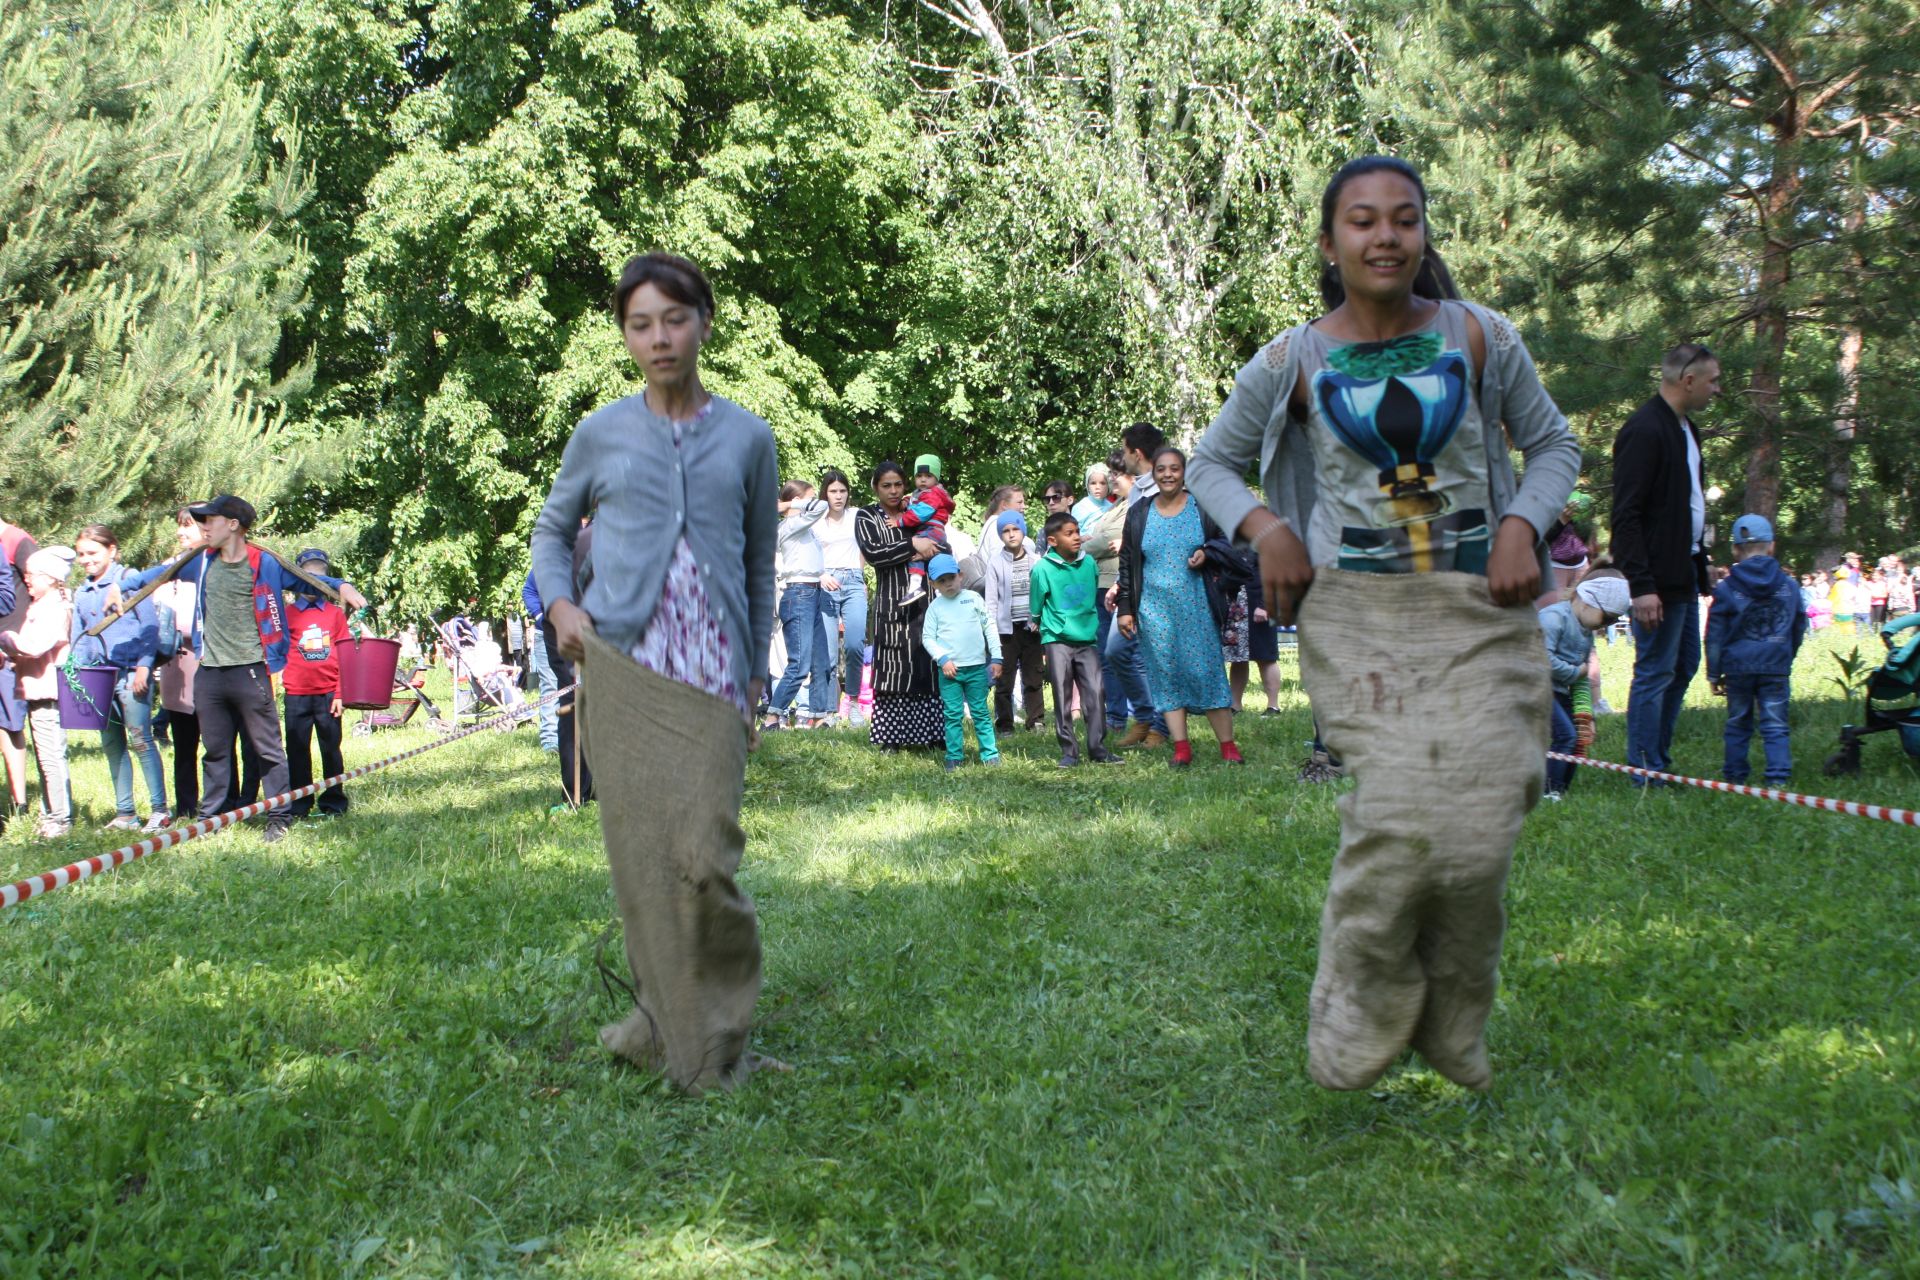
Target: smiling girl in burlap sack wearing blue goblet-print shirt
1381 433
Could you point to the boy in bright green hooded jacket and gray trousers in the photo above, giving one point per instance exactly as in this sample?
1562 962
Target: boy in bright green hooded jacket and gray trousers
1063 605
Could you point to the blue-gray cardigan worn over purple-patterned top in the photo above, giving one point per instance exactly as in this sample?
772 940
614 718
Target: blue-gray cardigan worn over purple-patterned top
721 488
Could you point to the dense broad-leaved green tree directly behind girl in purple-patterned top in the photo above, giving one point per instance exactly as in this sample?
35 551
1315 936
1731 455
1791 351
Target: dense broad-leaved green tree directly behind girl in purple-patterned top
540 151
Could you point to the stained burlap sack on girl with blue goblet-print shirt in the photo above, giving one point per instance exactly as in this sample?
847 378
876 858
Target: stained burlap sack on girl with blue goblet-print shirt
1437 703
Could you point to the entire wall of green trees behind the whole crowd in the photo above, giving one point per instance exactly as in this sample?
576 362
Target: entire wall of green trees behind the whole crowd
352 256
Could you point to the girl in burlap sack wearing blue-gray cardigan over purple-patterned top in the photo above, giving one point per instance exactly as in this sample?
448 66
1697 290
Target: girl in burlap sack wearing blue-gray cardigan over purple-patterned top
671 623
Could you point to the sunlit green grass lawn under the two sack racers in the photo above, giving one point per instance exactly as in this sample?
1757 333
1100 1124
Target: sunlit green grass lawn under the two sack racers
1044 1026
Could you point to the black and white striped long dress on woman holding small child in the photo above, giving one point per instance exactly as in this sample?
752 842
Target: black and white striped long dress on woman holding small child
907 707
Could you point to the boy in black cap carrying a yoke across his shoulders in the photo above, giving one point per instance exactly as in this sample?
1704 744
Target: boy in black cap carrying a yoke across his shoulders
241 640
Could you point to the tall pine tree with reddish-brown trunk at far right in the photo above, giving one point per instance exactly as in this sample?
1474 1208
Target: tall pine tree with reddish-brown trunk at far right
1691 168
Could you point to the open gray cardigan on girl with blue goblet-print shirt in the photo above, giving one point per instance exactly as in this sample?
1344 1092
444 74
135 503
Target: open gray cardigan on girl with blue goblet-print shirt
1255 423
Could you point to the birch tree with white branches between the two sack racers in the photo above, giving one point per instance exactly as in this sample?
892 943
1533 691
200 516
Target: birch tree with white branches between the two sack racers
1138 183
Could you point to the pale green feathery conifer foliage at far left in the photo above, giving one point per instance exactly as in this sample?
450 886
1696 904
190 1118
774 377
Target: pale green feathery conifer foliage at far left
145 272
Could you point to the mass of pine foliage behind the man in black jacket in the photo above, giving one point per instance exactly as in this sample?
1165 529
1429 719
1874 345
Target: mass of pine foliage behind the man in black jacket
1629 176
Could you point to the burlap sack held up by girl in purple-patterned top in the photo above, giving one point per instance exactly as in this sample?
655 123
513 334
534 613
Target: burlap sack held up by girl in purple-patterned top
669 769
